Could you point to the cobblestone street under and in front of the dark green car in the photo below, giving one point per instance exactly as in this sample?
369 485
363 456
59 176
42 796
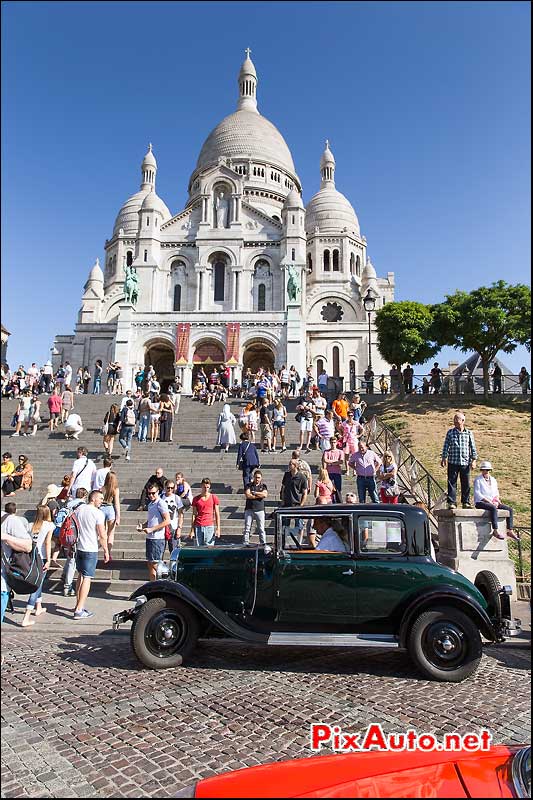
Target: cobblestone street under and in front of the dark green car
82 719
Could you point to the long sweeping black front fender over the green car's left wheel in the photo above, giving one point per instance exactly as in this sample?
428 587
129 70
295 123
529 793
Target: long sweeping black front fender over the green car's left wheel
202 606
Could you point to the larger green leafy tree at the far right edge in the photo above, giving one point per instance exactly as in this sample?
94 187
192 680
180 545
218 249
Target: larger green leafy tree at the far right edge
487 320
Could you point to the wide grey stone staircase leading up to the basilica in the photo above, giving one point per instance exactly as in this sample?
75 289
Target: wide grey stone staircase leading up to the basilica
192 452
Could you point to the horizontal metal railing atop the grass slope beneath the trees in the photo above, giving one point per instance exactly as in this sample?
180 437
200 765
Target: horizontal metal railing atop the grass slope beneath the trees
451 384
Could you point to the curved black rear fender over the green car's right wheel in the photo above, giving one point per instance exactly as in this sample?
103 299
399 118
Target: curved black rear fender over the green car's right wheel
450 596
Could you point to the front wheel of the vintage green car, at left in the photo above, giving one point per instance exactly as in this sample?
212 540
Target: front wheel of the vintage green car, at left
164 632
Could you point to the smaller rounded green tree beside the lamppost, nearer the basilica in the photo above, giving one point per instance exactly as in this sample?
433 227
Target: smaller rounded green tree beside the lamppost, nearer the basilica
404 333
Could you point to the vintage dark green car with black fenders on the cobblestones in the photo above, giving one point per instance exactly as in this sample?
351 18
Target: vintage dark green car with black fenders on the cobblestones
382 590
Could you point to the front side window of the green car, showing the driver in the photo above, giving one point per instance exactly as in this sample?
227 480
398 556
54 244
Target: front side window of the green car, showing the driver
303 533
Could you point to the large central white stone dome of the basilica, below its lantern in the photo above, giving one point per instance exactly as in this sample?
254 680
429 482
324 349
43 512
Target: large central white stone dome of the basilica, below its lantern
246 134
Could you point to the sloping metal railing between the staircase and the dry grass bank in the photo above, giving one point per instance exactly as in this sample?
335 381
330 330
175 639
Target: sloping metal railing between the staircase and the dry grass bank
414 479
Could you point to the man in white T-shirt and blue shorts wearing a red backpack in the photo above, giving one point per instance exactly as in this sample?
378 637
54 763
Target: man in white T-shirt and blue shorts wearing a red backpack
91 533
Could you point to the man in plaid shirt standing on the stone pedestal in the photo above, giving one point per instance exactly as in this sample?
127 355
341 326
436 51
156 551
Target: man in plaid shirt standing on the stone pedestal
460 452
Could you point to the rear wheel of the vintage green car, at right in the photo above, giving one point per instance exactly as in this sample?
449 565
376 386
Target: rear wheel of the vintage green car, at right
445 644
